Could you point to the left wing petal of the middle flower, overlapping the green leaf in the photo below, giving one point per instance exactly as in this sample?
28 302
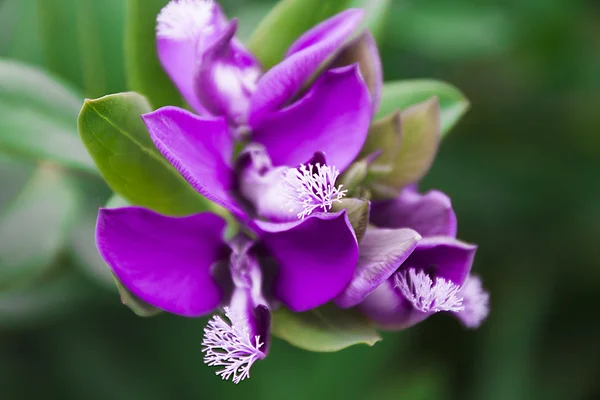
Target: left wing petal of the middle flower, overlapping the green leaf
199 148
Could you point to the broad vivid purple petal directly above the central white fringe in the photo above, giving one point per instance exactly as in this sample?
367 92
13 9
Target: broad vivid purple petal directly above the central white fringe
333 117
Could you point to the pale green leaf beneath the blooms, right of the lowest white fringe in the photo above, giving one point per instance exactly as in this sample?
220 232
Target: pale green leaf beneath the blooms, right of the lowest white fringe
324 329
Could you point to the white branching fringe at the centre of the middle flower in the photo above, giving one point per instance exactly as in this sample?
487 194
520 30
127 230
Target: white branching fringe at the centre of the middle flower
308 191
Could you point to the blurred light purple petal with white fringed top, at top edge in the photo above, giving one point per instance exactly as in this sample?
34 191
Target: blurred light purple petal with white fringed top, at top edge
184 29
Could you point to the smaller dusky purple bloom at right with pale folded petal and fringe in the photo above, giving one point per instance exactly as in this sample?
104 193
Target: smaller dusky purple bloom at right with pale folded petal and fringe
400 282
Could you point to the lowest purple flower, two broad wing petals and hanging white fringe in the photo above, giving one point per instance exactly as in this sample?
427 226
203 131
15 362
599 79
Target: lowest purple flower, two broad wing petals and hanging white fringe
183 266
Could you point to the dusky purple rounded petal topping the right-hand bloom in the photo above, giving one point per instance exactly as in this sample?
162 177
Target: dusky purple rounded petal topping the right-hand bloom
430 214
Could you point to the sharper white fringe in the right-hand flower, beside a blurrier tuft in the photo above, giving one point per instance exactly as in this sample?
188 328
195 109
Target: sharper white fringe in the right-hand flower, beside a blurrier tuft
427 296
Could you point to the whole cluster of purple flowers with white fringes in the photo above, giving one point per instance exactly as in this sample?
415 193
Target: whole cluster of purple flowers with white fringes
280 150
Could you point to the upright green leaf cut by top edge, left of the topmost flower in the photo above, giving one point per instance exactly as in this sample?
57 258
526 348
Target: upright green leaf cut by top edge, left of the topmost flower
144 72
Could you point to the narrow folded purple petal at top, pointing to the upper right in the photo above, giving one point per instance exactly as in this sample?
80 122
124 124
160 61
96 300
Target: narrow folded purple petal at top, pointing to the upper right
304 57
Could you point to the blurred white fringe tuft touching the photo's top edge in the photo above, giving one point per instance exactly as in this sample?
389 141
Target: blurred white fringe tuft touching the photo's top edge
185 19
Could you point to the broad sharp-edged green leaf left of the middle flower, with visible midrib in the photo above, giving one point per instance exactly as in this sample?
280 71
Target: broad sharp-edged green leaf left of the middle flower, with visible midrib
117 139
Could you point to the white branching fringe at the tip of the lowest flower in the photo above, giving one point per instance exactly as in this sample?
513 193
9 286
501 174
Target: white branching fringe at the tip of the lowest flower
231 347
